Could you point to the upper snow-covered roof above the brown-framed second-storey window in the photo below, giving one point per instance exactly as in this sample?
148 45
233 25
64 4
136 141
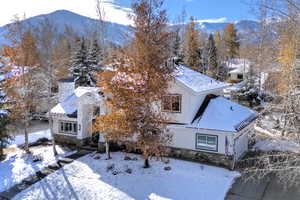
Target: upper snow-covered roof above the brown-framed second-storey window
196 81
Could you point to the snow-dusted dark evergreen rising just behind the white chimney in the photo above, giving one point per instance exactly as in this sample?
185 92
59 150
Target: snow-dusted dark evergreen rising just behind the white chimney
82 73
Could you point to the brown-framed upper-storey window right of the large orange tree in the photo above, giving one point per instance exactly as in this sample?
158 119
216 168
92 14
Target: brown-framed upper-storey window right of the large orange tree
171 103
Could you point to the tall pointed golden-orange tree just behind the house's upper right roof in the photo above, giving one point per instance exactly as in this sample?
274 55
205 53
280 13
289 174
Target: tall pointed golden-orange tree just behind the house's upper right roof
192 47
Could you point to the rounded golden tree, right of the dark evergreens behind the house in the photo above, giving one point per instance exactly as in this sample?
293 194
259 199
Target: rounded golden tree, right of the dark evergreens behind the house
231 41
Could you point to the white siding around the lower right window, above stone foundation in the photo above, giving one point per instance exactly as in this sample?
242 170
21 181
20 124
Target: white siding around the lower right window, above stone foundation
185 138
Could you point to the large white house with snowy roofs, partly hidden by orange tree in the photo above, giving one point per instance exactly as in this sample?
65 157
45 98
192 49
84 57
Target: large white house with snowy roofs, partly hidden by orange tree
205 126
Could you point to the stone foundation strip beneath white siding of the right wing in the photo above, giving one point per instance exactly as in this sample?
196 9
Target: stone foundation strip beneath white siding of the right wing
202 157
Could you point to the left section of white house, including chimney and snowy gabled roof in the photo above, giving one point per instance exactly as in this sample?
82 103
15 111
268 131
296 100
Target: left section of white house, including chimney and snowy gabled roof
71 119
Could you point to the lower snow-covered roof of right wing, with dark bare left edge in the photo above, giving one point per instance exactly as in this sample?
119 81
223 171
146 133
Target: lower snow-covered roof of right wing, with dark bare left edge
224 115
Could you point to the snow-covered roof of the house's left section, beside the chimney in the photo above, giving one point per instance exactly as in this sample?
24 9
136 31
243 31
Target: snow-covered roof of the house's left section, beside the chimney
69 105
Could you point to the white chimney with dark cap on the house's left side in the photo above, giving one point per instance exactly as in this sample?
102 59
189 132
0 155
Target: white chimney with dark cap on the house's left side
66 87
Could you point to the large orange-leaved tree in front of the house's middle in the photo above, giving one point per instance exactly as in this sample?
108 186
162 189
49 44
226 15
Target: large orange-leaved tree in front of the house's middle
136 85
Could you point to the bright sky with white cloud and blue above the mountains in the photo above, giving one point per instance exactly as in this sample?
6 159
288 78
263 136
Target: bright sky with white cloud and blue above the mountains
117 10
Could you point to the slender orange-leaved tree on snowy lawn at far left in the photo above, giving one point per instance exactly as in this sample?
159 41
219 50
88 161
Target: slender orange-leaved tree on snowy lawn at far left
22 87
